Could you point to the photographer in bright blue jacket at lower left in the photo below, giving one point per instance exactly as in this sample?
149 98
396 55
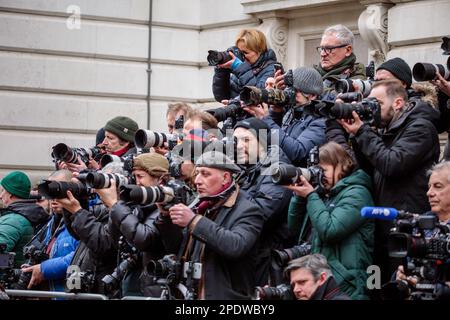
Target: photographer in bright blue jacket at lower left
59 245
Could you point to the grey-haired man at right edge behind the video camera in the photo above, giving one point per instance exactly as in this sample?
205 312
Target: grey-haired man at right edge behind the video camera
439 200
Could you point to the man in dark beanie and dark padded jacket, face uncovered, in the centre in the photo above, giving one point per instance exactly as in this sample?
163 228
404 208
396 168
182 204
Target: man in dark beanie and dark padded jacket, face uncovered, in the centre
256 155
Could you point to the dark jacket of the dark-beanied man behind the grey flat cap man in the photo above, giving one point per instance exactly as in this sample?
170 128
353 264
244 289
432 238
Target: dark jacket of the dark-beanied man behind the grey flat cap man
273 201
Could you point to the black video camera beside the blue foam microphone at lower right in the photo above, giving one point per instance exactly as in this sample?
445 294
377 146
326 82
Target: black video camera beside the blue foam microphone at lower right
423 244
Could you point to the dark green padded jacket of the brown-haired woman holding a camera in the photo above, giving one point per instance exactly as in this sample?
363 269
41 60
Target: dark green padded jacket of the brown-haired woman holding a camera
338 230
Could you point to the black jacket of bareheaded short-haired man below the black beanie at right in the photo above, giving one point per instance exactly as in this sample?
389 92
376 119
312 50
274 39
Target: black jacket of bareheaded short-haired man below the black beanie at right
400 157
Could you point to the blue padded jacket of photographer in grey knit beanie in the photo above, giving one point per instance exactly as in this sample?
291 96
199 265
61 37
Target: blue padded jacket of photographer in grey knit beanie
298 133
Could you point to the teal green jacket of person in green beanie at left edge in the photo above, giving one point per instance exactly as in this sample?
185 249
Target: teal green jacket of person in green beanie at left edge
17 225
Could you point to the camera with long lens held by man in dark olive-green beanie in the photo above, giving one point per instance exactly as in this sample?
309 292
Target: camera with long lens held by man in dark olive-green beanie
62 152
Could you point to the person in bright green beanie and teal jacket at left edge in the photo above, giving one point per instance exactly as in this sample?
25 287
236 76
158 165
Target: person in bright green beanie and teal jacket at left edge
21 217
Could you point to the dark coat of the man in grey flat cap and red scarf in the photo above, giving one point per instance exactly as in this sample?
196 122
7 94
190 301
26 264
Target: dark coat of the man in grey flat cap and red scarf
224 240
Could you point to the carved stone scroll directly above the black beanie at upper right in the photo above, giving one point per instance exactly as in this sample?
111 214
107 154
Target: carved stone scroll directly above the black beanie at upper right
373 27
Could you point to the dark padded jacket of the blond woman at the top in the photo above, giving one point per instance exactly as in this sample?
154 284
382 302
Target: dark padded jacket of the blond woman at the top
228 84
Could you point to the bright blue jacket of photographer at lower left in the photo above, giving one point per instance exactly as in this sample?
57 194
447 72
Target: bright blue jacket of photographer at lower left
61 254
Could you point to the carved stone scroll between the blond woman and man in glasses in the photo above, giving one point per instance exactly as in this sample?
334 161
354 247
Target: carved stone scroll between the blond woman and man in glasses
276 31
